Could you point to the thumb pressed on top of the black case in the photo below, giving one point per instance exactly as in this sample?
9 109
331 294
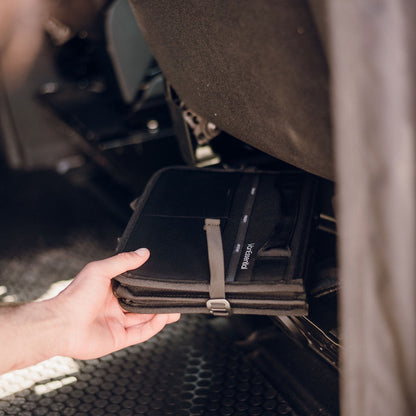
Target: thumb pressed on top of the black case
118 264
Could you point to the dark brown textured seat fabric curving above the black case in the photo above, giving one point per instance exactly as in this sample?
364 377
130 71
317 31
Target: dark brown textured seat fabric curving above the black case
254 68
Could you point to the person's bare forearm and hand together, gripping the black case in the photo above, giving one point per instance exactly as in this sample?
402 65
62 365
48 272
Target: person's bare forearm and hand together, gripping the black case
84 321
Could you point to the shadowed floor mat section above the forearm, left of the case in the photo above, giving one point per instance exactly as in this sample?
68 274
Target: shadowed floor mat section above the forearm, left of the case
50 230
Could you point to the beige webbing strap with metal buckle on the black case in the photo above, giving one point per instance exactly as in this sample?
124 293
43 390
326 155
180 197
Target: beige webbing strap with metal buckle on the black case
217 304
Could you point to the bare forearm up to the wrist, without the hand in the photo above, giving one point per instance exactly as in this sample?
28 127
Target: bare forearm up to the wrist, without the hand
30 333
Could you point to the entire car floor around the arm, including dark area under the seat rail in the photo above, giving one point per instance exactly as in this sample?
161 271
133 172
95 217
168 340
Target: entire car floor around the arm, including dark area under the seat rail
52 225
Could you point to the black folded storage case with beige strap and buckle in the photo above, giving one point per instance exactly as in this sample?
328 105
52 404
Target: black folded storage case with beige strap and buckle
220 241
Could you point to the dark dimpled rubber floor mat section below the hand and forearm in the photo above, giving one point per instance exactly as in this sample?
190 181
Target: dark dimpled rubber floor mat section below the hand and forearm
193 367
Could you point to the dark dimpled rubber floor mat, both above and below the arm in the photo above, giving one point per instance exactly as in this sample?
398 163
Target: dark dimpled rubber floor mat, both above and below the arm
50 230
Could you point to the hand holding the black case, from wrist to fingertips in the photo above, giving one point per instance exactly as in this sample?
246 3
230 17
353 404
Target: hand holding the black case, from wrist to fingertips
93 323
